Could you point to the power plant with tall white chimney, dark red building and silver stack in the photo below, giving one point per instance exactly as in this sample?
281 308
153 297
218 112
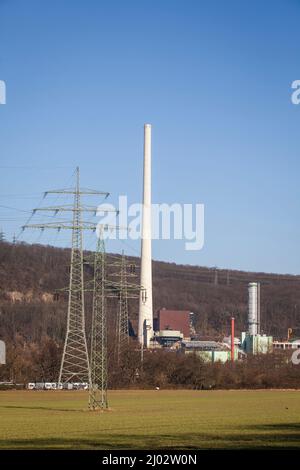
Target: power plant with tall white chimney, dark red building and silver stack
173 328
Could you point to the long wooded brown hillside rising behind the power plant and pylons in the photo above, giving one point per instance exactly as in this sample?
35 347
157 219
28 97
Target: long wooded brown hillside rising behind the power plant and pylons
30 275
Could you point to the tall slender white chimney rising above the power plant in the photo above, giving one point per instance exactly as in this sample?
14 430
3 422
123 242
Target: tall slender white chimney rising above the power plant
145 331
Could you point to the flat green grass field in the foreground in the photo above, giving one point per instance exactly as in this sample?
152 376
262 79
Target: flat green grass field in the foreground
151 420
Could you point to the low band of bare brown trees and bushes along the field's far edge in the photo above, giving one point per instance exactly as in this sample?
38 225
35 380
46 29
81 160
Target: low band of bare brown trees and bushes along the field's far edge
39 362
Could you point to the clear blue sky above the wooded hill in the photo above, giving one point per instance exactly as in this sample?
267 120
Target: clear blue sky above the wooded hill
213 78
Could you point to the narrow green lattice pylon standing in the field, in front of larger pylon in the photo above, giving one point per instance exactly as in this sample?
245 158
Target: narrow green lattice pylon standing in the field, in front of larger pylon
98 379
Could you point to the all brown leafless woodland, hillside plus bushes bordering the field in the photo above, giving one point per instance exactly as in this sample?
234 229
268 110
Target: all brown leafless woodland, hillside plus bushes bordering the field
33 320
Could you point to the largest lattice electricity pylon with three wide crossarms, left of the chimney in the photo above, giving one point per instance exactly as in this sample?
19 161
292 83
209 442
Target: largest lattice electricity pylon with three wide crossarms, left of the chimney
75 361
